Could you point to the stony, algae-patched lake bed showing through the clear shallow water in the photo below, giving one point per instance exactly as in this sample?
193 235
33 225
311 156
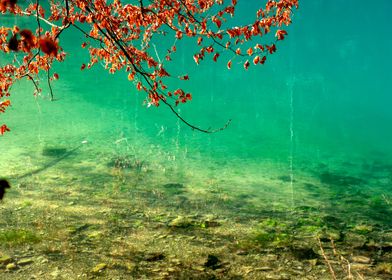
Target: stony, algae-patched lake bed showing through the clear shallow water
115 218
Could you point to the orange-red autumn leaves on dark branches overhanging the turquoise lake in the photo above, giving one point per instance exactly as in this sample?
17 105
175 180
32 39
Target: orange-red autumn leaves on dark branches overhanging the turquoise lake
120 35
